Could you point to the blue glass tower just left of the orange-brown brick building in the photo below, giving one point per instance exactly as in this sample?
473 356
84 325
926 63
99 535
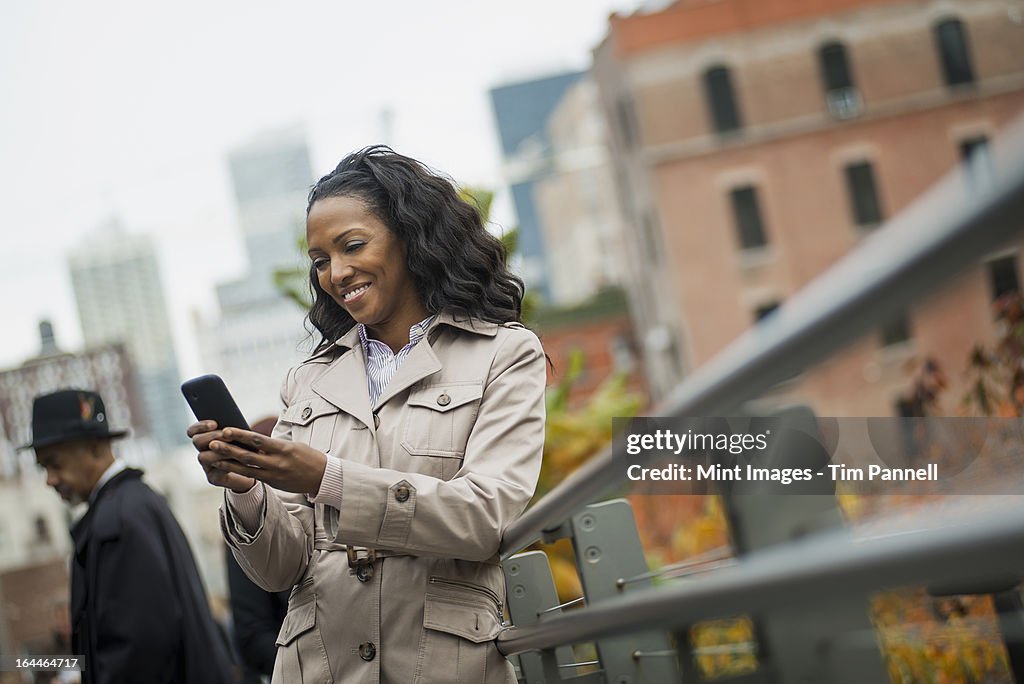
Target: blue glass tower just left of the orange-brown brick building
522 112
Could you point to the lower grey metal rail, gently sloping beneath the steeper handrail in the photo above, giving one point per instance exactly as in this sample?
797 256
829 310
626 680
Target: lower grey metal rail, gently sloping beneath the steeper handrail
984 547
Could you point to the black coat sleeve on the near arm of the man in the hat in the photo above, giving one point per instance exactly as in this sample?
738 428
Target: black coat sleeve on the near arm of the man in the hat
138 613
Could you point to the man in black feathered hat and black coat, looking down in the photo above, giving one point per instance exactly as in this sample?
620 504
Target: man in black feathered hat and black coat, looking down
139 610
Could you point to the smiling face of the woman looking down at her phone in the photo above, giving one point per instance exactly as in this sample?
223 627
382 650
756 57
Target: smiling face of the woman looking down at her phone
362 266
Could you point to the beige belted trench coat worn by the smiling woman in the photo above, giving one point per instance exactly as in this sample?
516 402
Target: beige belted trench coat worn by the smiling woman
432 477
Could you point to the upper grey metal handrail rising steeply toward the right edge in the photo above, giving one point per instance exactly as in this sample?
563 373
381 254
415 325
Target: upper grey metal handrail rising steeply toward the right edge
942 233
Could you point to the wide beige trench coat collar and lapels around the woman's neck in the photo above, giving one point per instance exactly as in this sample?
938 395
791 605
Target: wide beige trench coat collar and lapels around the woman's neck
335 384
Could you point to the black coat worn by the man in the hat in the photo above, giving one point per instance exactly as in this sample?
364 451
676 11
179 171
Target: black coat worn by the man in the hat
139 610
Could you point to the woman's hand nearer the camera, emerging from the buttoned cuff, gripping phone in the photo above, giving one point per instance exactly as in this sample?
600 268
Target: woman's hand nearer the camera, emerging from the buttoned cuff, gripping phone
284 465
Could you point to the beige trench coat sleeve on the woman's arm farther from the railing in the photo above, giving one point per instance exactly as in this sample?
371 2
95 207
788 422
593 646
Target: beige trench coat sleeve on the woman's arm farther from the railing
276 554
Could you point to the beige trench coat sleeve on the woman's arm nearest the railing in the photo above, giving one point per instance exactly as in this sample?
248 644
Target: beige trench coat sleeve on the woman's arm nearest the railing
463 518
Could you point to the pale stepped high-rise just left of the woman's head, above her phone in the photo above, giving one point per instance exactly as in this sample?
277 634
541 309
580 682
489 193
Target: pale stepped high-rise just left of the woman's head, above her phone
261 334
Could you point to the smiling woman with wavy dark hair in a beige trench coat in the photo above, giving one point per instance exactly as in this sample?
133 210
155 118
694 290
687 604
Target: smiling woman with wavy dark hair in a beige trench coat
409 441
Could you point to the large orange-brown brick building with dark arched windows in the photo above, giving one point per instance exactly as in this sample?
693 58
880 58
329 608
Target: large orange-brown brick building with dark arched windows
757 143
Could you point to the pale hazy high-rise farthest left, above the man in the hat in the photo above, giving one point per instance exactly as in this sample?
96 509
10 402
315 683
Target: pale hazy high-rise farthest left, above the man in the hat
116 278
